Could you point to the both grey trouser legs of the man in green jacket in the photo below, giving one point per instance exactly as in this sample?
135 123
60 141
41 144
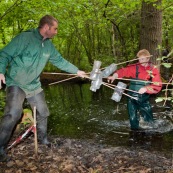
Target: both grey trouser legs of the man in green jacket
13 111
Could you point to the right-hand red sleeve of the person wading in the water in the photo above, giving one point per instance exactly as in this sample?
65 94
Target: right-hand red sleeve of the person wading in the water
156 84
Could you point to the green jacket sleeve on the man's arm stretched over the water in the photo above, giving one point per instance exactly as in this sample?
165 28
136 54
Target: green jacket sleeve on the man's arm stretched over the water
57 60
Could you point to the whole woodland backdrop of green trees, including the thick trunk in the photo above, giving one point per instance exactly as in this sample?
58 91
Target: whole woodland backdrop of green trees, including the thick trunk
111 31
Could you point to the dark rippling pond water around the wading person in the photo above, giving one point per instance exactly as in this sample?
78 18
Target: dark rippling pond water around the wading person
77 112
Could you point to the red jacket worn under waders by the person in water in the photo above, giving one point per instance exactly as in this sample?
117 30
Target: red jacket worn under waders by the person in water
144 73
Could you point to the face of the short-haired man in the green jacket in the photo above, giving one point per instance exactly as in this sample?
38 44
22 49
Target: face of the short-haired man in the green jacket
51 31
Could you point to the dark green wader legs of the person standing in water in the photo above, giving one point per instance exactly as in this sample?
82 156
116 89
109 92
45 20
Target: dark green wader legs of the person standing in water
135 106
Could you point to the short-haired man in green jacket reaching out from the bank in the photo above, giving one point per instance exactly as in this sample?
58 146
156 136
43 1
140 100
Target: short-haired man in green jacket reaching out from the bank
21 63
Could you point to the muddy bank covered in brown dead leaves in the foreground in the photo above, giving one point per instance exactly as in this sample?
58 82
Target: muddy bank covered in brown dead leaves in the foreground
82 156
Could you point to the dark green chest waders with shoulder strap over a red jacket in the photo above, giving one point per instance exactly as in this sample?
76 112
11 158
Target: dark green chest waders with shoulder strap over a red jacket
142 105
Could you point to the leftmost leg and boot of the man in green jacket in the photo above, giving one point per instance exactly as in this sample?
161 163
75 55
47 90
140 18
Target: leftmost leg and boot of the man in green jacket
12 114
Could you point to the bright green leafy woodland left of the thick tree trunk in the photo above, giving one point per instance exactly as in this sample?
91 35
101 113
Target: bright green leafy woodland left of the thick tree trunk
85 27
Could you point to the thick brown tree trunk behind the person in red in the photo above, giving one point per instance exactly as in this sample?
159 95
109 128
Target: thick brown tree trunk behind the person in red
151 29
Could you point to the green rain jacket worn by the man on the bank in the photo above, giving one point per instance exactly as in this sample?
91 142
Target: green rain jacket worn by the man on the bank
25 57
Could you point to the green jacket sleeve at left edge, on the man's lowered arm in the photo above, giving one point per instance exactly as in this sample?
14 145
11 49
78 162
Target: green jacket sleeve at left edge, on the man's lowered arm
9 52
